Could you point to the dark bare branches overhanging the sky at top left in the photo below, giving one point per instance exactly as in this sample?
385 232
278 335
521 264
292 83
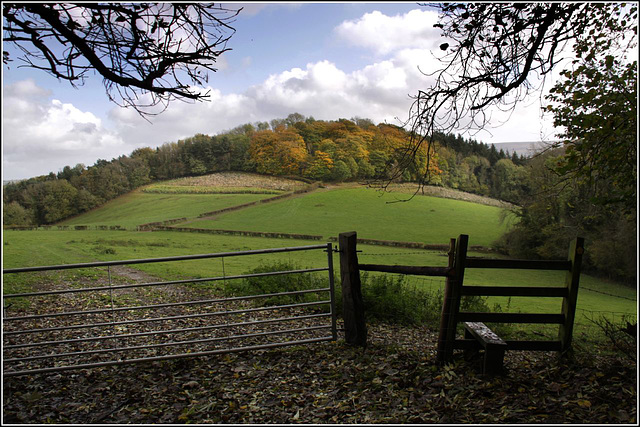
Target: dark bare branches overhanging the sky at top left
147 53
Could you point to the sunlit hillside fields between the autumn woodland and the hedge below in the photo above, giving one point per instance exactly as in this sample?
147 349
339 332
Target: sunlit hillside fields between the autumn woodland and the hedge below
327 211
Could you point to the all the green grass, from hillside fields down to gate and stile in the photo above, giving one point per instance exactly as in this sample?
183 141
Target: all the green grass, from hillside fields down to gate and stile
326 212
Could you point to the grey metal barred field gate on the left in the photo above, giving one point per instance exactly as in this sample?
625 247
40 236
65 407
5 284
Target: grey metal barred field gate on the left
174 343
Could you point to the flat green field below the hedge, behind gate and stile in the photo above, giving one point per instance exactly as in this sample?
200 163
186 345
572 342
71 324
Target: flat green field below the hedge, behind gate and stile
29 248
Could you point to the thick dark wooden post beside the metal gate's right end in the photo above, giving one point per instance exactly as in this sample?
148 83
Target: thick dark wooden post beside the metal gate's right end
352 304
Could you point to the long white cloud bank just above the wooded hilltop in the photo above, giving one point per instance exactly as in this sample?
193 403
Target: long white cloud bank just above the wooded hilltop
321 90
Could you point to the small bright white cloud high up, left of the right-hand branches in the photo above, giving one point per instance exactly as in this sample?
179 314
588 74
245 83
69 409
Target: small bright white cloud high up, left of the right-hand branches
386 34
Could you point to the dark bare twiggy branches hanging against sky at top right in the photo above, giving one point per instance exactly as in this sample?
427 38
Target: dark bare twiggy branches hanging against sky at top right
495 55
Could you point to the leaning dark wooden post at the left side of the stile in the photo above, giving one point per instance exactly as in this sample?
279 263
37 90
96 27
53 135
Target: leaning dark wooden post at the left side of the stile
455 285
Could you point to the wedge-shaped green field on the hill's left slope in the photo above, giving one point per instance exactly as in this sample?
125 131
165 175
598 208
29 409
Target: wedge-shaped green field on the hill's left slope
137 208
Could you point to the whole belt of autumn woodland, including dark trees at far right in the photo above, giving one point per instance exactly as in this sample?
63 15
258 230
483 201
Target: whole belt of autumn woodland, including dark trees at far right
549 210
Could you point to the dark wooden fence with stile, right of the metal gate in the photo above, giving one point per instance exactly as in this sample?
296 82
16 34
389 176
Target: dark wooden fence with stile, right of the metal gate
455 289
